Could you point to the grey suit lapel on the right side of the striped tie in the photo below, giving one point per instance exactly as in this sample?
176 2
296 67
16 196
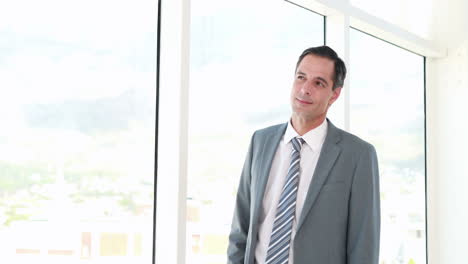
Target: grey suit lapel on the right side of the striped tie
327 158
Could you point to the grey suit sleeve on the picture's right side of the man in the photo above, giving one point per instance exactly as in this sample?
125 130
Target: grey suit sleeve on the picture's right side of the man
364 211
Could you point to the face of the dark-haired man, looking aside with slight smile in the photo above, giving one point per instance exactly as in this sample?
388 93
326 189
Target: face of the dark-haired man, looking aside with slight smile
312 92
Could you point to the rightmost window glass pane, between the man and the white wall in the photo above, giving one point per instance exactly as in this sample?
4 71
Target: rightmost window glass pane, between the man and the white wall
387 108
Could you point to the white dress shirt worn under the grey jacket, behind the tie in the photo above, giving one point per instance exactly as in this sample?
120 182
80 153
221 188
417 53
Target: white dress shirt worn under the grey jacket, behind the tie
309 156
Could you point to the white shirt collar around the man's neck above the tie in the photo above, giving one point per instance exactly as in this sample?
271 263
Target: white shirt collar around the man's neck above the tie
314 138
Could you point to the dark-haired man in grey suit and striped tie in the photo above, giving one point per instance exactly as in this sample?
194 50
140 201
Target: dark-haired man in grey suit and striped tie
309 192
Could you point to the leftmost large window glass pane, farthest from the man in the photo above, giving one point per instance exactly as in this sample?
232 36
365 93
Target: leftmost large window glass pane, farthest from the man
77 137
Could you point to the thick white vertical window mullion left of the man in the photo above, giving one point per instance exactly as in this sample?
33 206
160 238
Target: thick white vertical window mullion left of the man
173 126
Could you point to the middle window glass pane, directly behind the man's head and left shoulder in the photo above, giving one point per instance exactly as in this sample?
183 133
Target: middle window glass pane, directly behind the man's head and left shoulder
243 55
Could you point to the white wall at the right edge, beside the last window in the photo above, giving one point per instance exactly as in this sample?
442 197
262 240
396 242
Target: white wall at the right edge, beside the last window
447 131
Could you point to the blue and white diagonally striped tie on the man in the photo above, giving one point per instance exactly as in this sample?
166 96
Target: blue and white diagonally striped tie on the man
278 249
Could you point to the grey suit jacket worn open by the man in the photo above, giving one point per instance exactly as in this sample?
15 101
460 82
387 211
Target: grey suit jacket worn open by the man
340 221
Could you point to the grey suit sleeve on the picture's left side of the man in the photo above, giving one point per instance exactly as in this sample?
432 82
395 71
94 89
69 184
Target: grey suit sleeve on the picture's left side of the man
241 219
